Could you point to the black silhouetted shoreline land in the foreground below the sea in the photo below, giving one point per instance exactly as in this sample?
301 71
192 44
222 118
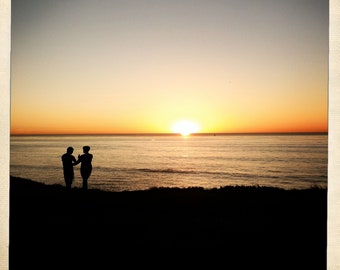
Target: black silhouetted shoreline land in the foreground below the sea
253 225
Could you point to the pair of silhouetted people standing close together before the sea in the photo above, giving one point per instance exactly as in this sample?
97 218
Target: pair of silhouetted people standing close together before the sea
85 168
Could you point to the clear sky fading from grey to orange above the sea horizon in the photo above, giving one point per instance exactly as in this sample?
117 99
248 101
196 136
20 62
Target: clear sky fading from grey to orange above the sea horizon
140 66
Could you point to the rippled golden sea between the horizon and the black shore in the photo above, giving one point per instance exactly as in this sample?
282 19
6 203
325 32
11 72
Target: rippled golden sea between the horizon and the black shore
140 162
